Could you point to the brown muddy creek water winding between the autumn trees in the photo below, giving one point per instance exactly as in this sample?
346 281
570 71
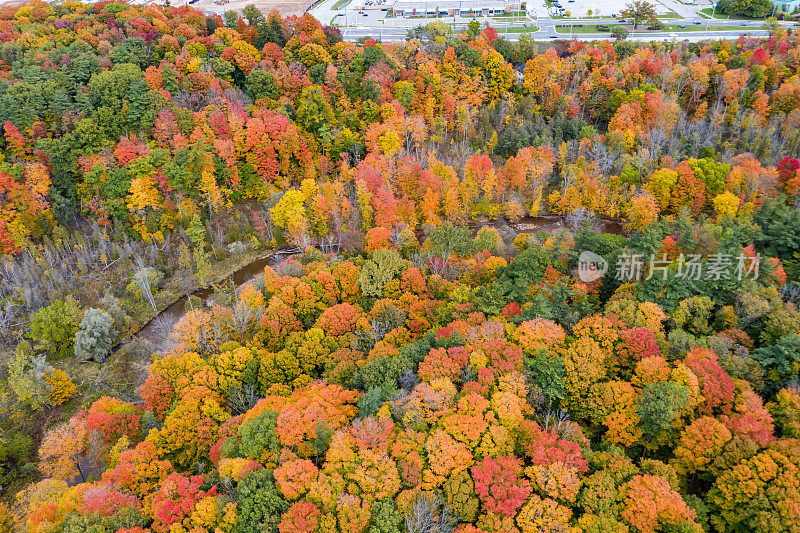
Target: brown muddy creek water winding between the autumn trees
156 330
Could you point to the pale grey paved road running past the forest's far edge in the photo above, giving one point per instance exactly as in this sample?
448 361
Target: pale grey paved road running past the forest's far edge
356 24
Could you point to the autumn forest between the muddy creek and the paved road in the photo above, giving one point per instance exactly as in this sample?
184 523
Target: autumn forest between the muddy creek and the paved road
140 117
